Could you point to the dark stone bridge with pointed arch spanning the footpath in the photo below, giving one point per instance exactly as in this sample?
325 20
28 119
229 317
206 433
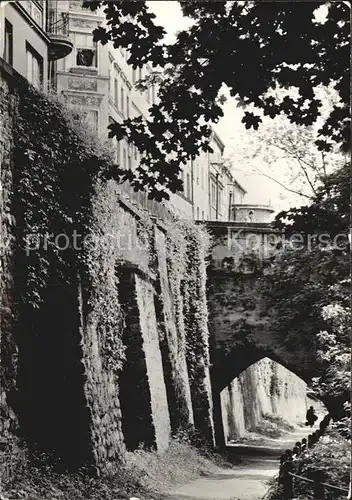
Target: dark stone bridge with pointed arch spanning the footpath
240 324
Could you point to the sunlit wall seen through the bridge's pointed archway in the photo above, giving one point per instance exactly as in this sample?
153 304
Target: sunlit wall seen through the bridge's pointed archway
264 389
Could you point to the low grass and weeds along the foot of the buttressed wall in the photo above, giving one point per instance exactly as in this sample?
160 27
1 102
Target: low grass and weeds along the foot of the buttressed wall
145 475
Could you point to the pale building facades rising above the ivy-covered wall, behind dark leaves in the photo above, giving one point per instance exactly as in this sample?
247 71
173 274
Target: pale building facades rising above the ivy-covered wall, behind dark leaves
55 48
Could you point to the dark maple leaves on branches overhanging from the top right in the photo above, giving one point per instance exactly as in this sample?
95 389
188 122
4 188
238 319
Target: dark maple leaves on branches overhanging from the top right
272 46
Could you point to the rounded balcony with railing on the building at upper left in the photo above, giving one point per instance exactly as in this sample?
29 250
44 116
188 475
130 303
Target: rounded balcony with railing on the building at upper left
58 31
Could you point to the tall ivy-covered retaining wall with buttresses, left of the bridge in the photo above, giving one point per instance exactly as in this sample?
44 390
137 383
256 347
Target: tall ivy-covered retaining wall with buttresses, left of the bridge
109 313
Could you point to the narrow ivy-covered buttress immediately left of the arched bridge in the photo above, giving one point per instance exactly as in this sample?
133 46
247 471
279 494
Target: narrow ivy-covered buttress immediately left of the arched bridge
188 248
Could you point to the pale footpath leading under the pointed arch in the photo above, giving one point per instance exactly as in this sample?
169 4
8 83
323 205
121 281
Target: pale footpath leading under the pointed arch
247 480
